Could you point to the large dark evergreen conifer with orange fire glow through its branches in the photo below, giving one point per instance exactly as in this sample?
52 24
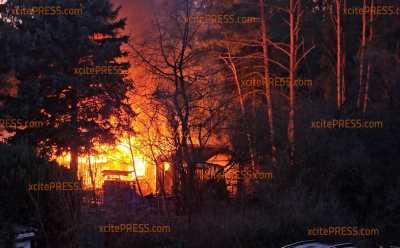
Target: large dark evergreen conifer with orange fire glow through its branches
77 108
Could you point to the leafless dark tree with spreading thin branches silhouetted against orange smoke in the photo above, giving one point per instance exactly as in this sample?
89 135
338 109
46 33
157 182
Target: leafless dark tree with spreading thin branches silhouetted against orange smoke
184 92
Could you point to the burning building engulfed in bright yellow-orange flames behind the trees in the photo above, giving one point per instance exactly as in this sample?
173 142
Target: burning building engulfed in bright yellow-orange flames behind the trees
114 171
